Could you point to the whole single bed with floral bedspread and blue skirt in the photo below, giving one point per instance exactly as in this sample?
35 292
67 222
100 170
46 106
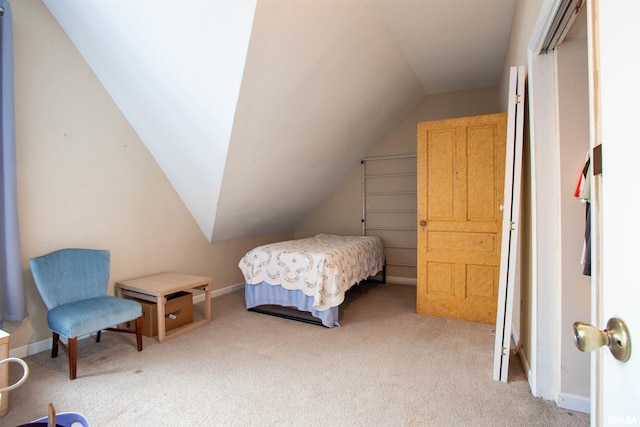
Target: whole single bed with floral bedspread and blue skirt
310 275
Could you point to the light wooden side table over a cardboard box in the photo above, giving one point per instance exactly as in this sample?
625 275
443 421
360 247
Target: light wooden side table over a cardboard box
155 288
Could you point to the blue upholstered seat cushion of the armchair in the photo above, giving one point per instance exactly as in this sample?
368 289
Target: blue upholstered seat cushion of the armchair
83 317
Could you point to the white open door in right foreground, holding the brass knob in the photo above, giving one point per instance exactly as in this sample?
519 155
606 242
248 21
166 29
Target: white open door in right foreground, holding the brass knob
614 33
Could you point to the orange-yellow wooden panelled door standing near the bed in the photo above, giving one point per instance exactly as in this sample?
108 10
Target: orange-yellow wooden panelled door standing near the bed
460 191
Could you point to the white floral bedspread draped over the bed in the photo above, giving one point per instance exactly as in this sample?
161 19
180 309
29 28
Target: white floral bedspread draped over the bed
324 266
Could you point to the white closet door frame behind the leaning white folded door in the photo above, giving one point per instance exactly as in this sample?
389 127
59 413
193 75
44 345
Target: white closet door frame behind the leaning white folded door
544 363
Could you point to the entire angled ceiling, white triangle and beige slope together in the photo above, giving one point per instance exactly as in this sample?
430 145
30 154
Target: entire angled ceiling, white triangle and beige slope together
256 111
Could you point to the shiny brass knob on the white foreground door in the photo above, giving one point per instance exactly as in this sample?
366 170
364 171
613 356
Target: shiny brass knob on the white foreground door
616 337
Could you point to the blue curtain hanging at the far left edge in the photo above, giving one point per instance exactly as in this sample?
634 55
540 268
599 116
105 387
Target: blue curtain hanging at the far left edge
12 297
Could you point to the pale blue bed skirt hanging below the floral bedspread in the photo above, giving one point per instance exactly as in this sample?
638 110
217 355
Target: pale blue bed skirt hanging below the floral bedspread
264 293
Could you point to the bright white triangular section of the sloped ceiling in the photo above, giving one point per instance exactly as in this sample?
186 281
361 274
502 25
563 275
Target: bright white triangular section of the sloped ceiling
174 69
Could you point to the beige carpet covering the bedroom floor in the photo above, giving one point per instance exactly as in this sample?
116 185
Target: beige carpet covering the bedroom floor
385 366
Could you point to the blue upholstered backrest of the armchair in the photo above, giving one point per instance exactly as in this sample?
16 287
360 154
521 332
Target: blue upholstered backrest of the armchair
69 275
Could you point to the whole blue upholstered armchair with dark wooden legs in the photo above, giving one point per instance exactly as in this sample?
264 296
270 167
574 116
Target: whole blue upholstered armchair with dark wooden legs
73 285
